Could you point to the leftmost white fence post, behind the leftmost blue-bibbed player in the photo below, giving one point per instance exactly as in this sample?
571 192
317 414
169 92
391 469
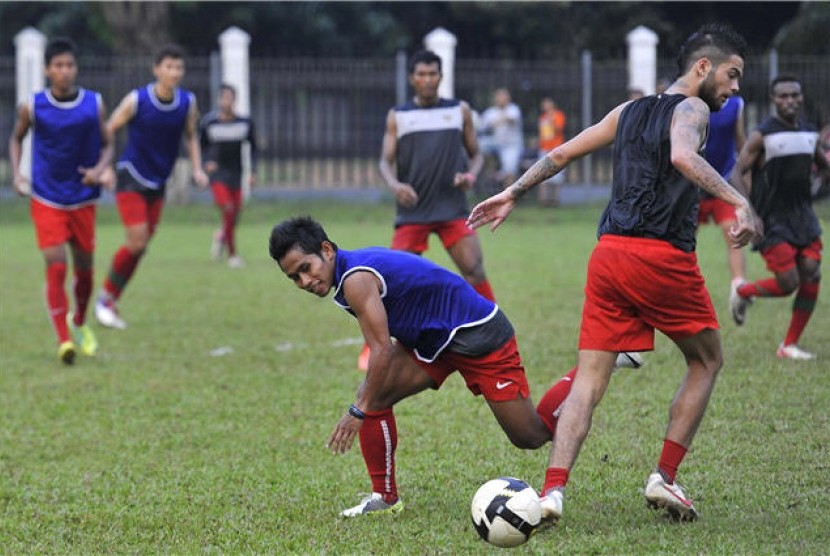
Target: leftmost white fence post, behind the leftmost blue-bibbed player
30 45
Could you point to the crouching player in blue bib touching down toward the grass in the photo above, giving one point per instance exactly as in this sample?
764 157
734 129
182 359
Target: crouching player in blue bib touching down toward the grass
422 323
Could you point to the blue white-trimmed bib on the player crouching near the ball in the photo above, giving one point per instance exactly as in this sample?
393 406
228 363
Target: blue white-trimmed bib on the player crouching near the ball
425 304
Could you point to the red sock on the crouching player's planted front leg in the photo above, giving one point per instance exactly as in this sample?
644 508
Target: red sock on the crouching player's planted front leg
378 441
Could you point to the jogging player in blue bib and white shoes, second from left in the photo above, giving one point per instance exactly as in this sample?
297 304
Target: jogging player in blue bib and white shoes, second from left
158 115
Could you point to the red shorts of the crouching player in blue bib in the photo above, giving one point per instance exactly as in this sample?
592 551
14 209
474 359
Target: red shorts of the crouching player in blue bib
498 376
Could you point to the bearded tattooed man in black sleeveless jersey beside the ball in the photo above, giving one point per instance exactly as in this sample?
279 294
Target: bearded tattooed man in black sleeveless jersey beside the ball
643 273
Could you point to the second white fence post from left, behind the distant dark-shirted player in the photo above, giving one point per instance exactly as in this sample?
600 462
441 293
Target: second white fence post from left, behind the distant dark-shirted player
234 43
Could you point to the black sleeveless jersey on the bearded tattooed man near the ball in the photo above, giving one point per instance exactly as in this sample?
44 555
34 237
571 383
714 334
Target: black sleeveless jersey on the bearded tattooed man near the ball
649 197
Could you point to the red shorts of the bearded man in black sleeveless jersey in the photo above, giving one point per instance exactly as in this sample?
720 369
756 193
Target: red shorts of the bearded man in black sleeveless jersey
636 285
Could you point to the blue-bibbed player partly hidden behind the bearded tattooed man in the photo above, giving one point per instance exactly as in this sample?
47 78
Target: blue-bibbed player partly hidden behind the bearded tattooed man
726 138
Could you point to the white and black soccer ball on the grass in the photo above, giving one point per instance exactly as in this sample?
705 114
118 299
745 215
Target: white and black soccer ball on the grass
506 511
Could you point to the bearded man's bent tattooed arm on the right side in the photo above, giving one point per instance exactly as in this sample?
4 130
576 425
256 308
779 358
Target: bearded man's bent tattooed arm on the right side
688 132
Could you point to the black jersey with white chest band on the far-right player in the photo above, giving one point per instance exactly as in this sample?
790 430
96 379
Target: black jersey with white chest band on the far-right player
781 189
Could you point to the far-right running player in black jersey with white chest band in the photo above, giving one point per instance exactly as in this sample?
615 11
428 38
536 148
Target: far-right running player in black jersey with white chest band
778 157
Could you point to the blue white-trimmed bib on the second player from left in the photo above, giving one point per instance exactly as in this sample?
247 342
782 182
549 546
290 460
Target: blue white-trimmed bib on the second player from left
154 135
